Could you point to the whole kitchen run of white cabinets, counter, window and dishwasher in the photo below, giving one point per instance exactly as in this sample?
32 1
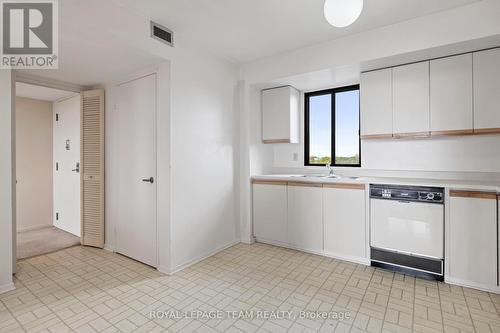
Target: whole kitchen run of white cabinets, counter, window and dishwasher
426 224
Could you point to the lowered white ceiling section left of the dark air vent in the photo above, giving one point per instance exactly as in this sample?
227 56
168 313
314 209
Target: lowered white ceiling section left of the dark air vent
96 43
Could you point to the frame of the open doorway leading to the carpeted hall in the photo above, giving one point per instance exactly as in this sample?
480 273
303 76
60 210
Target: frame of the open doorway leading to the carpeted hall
18 76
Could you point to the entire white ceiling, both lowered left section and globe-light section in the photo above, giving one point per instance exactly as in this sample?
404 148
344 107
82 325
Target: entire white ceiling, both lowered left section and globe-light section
102 40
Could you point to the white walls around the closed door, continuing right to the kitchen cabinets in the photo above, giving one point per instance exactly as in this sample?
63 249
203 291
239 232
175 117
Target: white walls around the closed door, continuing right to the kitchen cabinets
197 164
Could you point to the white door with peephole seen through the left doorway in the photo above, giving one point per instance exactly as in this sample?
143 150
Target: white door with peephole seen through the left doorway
66 157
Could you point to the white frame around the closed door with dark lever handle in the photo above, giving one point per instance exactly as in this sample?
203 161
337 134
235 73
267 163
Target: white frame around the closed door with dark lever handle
131 78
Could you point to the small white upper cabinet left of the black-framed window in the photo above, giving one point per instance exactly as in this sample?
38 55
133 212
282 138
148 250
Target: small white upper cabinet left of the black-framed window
280 115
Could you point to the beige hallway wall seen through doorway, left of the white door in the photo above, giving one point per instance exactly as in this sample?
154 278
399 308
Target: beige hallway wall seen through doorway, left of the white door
33 163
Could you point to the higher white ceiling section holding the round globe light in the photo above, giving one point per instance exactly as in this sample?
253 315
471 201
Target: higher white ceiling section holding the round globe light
246 30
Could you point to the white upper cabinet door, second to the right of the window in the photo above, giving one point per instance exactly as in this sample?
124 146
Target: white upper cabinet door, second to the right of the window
411 99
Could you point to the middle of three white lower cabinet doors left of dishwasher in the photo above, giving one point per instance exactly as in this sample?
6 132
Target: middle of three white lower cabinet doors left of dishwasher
305 217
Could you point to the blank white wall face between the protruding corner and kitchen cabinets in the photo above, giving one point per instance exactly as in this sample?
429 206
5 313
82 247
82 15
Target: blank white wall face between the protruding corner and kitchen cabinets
203 116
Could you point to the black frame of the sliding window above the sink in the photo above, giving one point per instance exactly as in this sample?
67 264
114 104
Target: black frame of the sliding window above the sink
332 92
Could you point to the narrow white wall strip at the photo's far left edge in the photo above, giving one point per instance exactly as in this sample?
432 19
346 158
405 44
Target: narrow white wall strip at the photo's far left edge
6 181
